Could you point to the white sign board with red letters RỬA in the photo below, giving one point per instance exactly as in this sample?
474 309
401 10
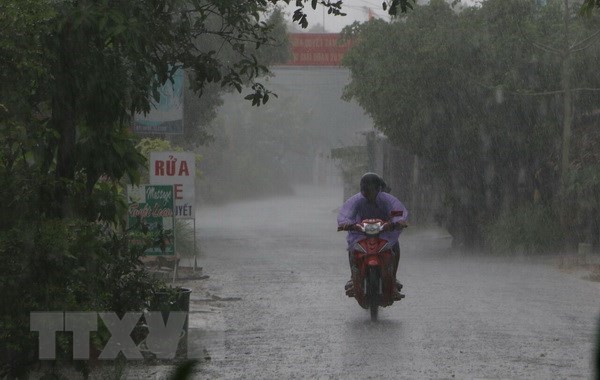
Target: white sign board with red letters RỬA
177 169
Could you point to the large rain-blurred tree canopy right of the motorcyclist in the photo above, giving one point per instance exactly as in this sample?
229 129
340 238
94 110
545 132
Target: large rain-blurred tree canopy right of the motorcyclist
478 94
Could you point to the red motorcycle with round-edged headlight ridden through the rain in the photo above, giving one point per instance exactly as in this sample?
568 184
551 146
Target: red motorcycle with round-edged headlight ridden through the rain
373 266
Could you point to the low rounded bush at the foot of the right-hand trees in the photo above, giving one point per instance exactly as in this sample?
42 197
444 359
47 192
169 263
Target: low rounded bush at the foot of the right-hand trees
529 229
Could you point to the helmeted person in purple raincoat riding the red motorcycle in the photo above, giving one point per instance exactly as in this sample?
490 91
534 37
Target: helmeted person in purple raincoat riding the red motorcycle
372 202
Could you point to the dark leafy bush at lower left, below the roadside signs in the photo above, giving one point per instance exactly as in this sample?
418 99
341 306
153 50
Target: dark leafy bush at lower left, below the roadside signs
64 265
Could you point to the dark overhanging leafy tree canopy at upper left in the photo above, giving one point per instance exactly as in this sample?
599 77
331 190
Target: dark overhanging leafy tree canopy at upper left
74 72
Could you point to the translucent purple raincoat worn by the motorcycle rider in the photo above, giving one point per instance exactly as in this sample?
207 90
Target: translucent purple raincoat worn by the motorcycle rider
357 208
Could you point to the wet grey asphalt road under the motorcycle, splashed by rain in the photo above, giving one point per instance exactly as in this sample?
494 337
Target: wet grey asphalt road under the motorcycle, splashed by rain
278 269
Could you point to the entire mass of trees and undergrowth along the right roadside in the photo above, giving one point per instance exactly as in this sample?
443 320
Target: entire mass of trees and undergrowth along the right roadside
500 101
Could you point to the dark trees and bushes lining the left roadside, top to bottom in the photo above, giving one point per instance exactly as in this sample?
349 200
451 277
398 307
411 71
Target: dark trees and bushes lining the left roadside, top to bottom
73 74
